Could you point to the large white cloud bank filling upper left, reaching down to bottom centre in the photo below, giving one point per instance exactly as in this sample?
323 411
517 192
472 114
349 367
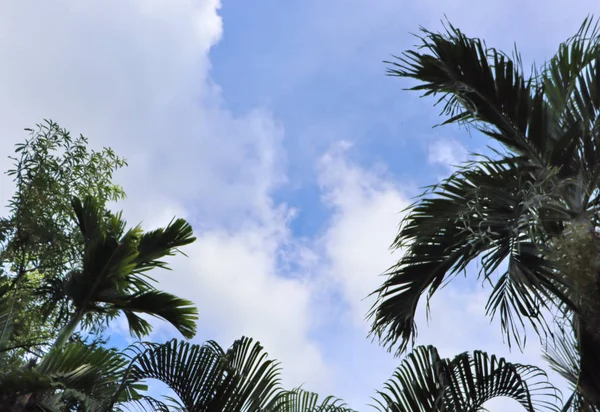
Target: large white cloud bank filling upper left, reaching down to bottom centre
135 76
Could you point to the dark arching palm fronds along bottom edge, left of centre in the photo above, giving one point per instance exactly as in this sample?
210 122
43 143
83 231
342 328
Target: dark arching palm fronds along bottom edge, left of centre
208 378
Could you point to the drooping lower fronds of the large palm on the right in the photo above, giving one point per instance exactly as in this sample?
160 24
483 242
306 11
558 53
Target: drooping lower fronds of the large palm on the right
488 210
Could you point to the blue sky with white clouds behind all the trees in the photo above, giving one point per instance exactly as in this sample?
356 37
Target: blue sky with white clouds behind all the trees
271 127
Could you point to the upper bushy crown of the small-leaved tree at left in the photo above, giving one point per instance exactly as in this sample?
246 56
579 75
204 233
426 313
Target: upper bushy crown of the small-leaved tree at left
50 169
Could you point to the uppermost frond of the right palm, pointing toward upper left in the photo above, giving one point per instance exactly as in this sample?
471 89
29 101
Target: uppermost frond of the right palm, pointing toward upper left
479 86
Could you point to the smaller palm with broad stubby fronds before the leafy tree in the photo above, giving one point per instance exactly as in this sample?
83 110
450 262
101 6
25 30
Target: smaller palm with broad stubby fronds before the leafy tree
113 278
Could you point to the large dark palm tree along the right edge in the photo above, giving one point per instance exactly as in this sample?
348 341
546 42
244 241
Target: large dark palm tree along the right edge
528 212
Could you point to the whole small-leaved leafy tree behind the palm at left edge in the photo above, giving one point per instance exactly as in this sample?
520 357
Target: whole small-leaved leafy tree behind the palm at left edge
39 239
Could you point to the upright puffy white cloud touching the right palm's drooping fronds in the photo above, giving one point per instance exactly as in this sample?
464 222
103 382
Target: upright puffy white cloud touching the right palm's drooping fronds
366 212
